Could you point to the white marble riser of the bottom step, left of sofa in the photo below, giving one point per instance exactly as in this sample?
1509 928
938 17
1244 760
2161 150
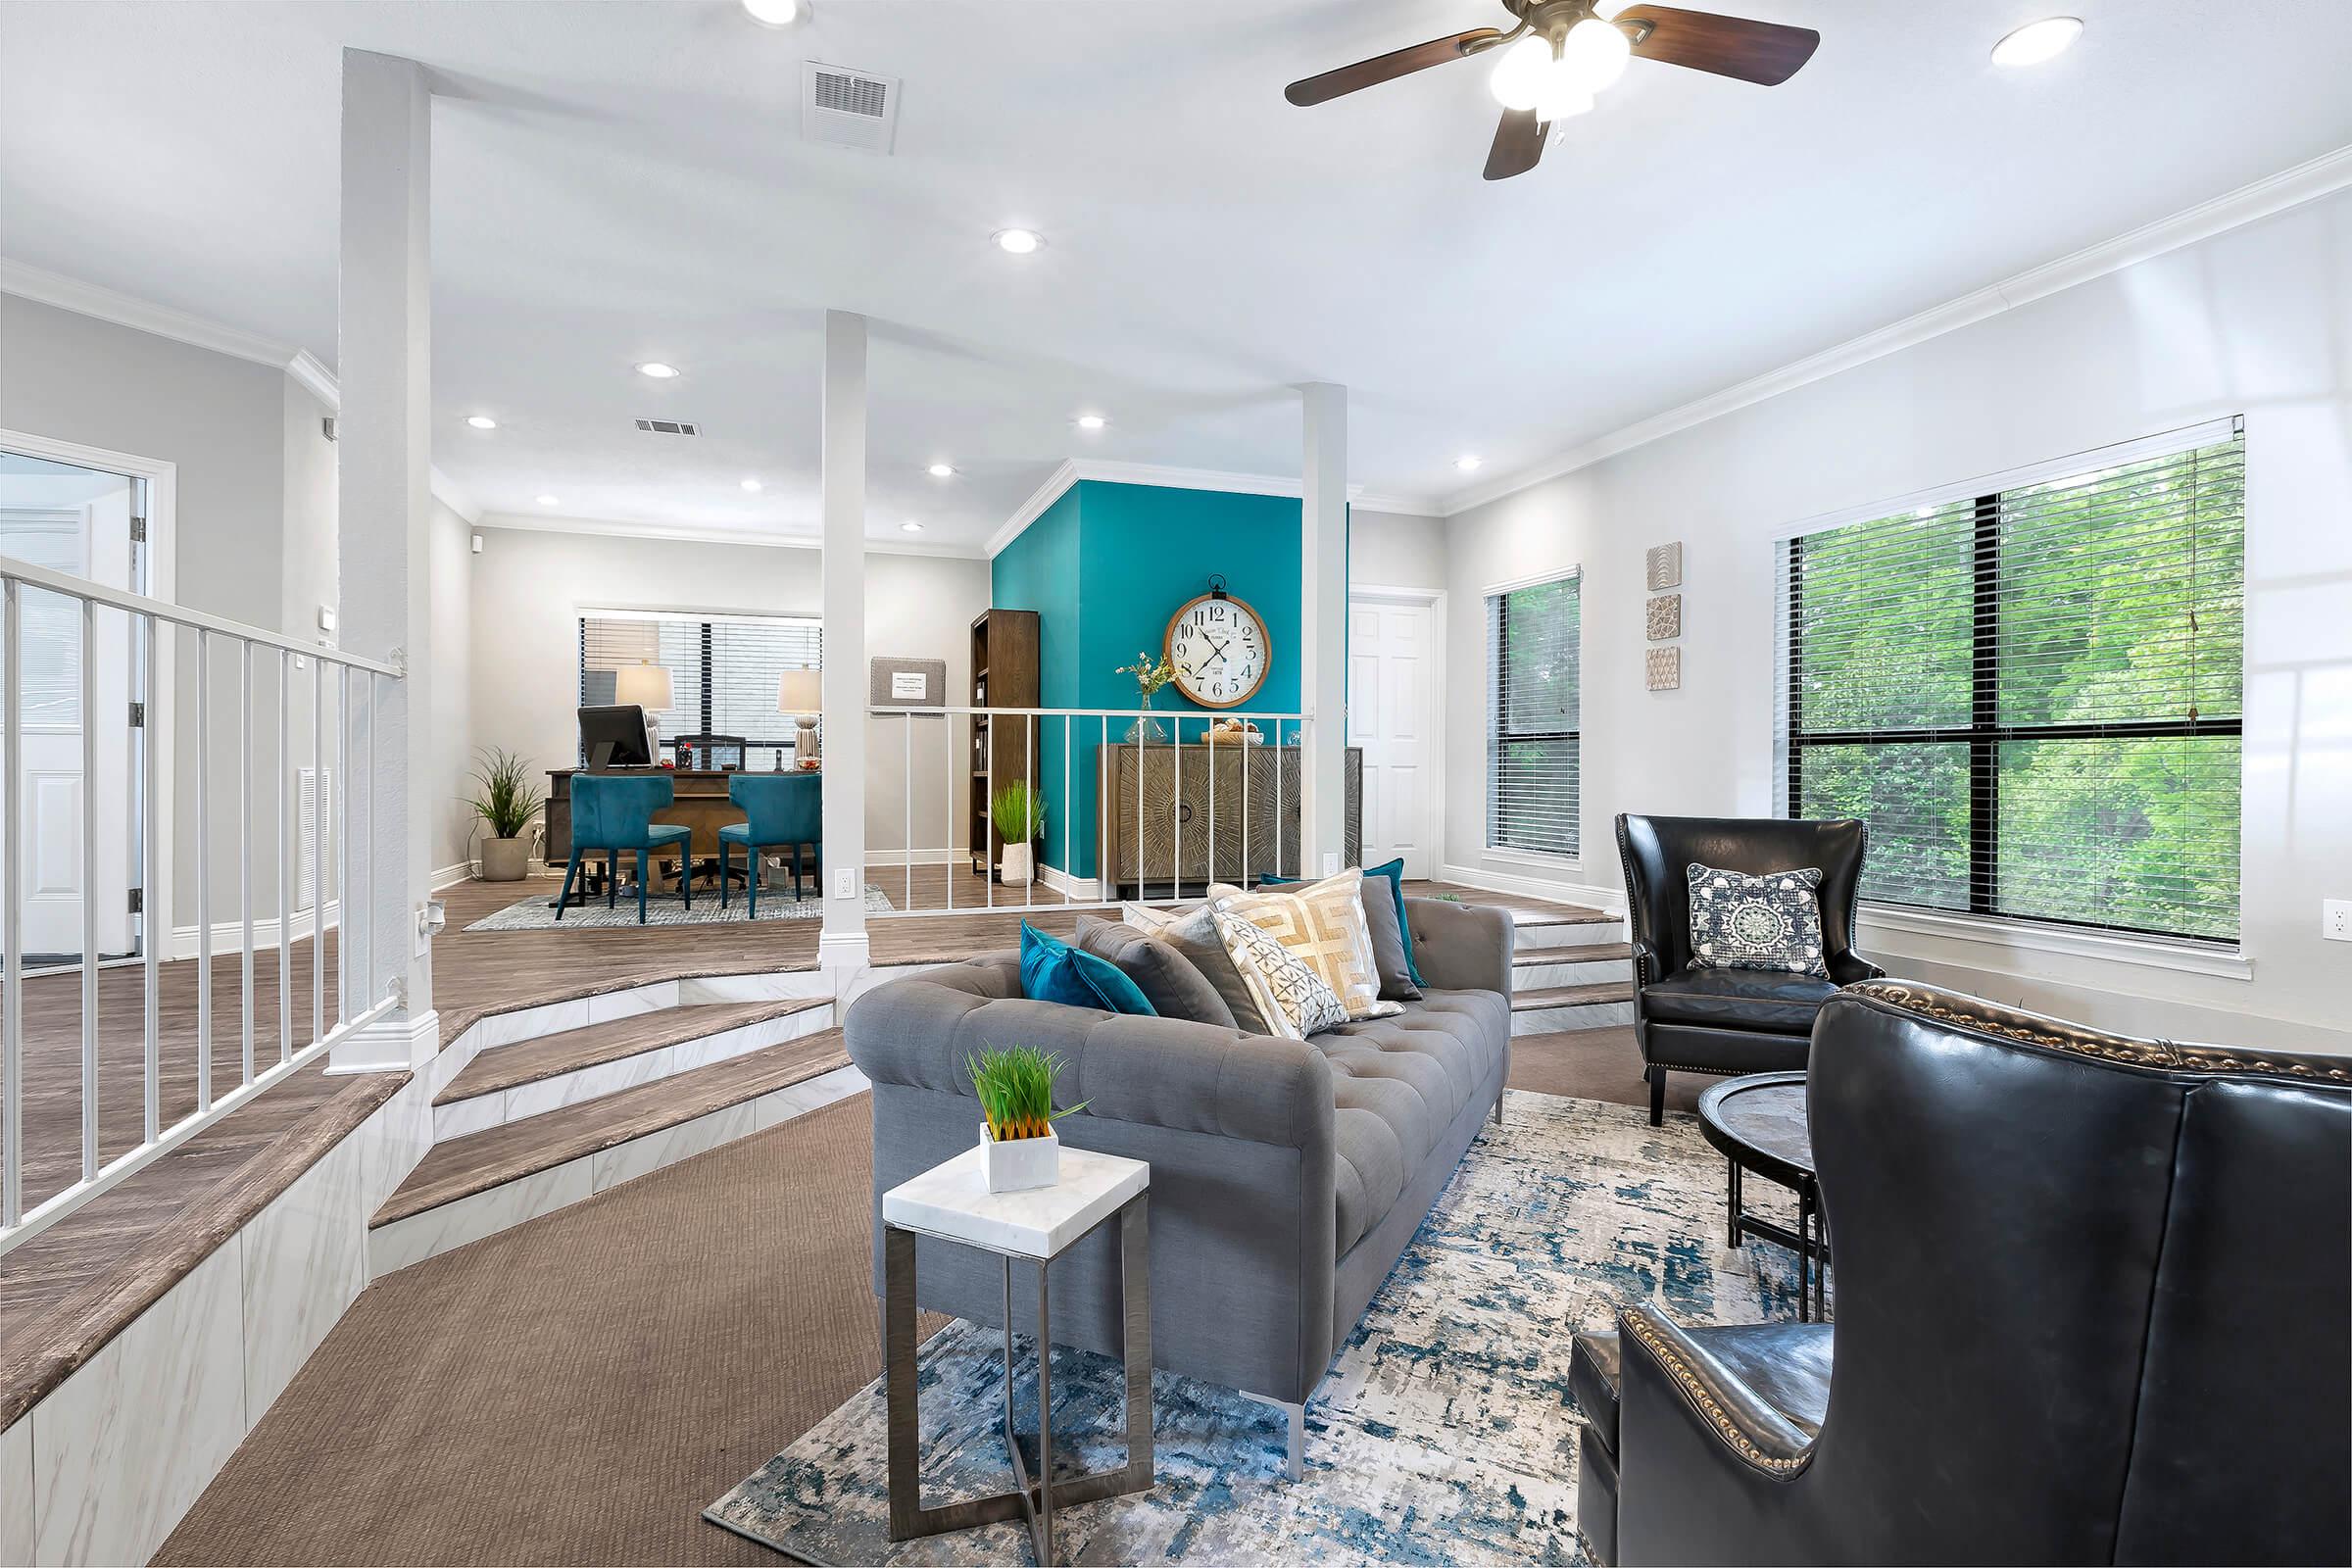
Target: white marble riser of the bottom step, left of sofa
486 1214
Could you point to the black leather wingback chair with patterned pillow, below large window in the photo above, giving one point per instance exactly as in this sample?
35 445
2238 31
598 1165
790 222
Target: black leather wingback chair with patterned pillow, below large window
1730 1019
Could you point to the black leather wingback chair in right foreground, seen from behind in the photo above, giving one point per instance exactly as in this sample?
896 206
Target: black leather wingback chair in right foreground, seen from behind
2094 1306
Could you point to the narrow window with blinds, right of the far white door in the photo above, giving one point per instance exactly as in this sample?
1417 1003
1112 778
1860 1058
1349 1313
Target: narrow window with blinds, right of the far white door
1532 753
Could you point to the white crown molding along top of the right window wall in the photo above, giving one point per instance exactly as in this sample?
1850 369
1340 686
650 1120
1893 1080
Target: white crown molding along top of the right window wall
2238 208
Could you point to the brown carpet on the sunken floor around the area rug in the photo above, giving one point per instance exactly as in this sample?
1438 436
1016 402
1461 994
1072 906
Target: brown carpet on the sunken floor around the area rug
575 1391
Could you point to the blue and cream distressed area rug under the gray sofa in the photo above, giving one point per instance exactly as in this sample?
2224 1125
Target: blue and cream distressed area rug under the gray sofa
1443 1435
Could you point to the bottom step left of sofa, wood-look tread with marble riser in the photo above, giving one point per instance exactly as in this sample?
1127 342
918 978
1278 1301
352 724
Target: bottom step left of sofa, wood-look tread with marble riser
483 1184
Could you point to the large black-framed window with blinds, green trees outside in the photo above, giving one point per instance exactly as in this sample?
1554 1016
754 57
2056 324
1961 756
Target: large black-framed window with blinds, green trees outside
2033 695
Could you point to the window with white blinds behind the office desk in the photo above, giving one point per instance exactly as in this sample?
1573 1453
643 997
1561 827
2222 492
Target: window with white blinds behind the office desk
723 669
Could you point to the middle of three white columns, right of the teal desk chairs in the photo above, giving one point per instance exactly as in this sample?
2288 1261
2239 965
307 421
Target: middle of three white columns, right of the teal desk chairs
843 944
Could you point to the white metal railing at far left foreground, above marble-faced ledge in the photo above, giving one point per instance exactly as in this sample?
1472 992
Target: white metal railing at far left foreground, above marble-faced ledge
154 622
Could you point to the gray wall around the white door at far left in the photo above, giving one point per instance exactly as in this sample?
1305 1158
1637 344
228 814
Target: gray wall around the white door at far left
225 422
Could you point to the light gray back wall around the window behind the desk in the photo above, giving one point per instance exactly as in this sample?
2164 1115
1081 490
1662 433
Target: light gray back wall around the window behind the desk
530 587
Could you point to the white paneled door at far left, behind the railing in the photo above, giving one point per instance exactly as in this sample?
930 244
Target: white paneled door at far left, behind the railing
81 523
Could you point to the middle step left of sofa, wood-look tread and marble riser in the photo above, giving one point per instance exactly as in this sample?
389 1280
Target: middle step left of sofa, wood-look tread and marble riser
554 1071
